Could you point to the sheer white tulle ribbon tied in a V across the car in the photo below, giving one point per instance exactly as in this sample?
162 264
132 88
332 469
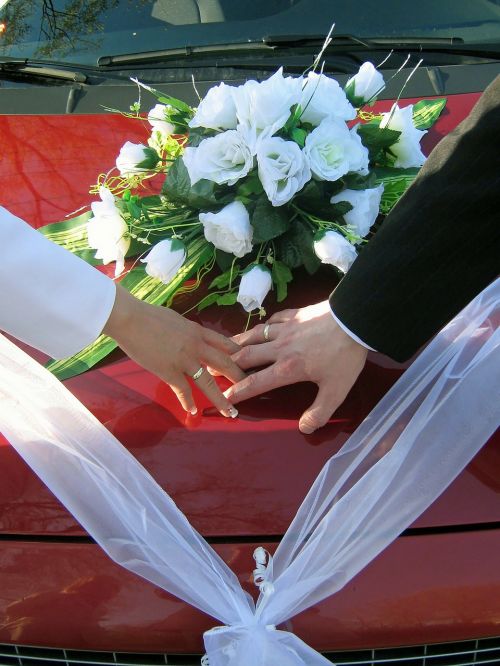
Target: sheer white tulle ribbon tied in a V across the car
406 452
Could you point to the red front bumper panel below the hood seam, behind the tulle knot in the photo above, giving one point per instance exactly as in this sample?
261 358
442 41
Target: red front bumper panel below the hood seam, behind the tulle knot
404 597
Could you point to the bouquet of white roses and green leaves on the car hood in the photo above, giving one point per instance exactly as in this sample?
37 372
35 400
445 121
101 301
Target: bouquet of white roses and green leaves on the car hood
259 180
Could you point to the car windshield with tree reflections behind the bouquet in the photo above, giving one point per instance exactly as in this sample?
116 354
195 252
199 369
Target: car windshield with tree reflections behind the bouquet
81 31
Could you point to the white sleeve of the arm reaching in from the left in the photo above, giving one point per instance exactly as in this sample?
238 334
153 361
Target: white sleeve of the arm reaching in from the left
49 298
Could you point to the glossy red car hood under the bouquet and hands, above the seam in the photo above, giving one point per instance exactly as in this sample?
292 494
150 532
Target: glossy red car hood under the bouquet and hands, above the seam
232 478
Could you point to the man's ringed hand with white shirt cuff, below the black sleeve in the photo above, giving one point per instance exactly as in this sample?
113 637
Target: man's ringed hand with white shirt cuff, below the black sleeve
302 345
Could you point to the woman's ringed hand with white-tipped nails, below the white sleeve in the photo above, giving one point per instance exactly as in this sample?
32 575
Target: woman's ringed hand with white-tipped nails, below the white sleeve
173 348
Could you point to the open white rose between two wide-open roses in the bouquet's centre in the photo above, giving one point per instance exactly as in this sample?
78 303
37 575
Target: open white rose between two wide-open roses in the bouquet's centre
283 169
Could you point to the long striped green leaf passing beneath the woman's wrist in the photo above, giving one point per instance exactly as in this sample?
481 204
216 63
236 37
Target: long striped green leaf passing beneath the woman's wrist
147 289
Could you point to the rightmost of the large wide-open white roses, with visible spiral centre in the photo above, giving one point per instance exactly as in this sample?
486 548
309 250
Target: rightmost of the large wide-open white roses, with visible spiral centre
332 150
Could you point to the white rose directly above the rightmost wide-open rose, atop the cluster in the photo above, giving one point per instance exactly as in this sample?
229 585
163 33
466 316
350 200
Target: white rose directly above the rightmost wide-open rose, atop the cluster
322 97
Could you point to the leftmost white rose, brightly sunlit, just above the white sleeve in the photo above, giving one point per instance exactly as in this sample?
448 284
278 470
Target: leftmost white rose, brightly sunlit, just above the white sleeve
107 231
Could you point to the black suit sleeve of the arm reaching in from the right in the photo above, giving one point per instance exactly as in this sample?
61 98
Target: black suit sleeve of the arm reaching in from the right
437 248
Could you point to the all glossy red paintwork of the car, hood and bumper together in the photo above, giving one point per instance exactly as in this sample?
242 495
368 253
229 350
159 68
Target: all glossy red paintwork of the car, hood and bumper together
221 473
